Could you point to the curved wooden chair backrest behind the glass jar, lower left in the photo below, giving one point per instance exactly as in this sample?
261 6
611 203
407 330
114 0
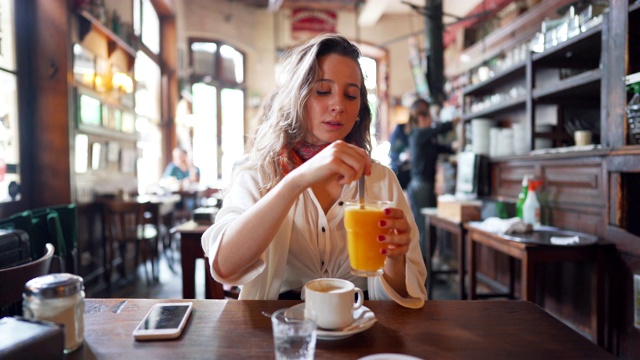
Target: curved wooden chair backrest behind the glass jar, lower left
13 279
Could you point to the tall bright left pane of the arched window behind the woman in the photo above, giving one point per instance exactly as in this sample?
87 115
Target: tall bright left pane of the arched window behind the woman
205 133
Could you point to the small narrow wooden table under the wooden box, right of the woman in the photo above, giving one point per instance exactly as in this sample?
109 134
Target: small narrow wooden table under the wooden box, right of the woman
434 222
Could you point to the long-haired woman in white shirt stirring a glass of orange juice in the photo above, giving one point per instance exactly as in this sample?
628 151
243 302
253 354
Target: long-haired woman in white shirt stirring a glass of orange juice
282 220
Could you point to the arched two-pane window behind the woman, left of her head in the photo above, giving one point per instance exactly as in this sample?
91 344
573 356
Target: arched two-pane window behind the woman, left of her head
217 86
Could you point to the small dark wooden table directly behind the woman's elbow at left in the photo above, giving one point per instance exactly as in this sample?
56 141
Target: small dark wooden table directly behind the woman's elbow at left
191 250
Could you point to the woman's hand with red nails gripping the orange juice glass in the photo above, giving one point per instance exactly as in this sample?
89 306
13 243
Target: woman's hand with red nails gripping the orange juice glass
397 234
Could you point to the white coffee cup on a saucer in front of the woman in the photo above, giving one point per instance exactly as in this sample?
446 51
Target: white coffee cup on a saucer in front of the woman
333 300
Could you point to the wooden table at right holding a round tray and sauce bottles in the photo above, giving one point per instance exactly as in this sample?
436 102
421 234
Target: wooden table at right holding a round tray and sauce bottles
531 255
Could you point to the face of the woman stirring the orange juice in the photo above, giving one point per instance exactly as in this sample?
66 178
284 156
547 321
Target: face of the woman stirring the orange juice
334 102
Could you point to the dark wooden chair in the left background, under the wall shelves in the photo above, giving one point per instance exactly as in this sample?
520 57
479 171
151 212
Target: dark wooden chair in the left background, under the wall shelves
125 223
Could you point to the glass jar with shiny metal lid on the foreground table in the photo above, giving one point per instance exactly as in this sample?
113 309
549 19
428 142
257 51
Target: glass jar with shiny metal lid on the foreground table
58 298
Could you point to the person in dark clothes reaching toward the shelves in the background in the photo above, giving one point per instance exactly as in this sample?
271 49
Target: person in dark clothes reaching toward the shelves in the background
424 149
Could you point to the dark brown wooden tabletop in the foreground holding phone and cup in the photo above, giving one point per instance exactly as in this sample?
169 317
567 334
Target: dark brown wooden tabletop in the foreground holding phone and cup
236 329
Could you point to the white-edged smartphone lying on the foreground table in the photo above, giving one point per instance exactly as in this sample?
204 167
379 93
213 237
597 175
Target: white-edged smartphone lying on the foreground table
163 321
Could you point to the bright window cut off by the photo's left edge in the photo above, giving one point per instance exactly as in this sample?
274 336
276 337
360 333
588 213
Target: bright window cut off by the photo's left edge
9 136
